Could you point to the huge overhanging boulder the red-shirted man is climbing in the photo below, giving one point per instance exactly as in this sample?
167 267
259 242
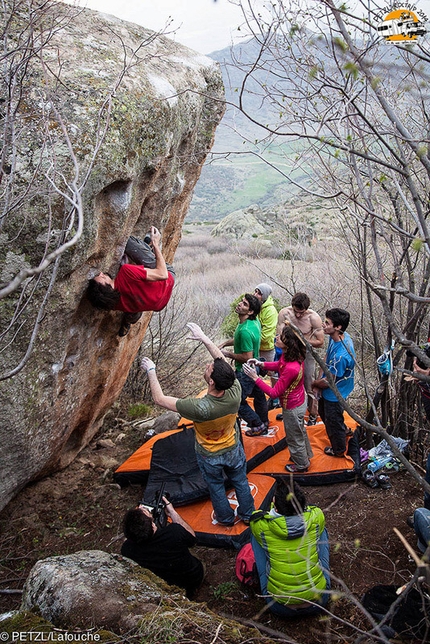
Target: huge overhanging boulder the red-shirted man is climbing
160 103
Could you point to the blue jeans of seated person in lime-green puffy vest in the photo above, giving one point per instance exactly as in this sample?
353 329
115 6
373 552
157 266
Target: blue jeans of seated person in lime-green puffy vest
284 610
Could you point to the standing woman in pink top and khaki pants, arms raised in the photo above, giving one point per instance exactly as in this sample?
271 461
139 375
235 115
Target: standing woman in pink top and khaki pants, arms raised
291 391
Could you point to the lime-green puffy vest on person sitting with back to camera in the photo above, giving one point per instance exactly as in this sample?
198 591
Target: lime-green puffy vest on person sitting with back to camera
290 544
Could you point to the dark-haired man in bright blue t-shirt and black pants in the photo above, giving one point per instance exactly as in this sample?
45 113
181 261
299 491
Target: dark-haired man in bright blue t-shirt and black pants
340 360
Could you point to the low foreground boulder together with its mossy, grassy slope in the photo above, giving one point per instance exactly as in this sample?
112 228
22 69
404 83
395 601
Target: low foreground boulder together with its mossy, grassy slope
92 590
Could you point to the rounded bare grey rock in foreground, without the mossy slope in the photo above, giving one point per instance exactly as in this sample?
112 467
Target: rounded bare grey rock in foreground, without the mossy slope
92 589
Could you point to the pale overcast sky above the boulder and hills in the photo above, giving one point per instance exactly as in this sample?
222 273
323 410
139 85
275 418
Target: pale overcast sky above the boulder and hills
203 25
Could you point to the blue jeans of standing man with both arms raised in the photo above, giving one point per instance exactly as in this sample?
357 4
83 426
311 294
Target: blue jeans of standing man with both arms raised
233 463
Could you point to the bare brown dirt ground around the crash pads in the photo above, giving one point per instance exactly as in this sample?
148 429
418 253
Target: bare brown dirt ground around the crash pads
81 508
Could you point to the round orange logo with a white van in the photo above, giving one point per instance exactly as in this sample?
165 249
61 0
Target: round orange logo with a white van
402 23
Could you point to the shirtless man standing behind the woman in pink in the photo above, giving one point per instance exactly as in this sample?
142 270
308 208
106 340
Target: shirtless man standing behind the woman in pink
310 324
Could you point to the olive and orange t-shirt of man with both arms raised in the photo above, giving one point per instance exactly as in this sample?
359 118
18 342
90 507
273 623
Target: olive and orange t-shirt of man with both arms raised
214 419
